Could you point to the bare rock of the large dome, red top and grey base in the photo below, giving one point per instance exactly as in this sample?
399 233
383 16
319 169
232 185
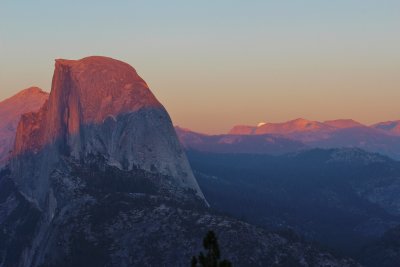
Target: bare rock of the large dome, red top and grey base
98 106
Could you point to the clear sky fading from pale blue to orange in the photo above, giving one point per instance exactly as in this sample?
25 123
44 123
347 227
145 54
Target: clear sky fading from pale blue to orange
215 64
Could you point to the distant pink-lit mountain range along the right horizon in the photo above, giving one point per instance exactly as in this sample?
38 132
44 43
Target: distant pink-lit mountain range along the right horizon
299 134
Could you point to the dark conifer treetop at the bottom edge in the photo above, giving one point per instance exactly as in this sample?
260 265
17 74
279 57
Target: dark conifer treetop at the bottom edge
212 256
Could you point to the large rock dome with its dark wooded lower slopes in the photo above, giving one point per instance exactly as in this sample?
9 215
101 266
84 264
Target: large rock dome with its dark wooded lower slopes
98 178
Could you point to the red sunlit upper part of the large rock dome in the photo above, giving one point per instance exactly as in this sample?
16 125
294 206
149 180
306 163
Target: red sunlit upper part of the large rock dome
86 92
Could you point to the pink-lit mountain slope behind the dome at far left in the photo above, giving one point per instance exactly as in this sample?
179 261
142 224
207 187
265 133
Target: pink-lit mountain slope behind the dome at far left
11 109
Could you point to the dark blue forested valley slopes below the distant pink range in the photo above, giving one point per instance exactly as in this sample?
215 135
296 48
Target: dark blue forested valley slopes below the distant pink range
342 198
